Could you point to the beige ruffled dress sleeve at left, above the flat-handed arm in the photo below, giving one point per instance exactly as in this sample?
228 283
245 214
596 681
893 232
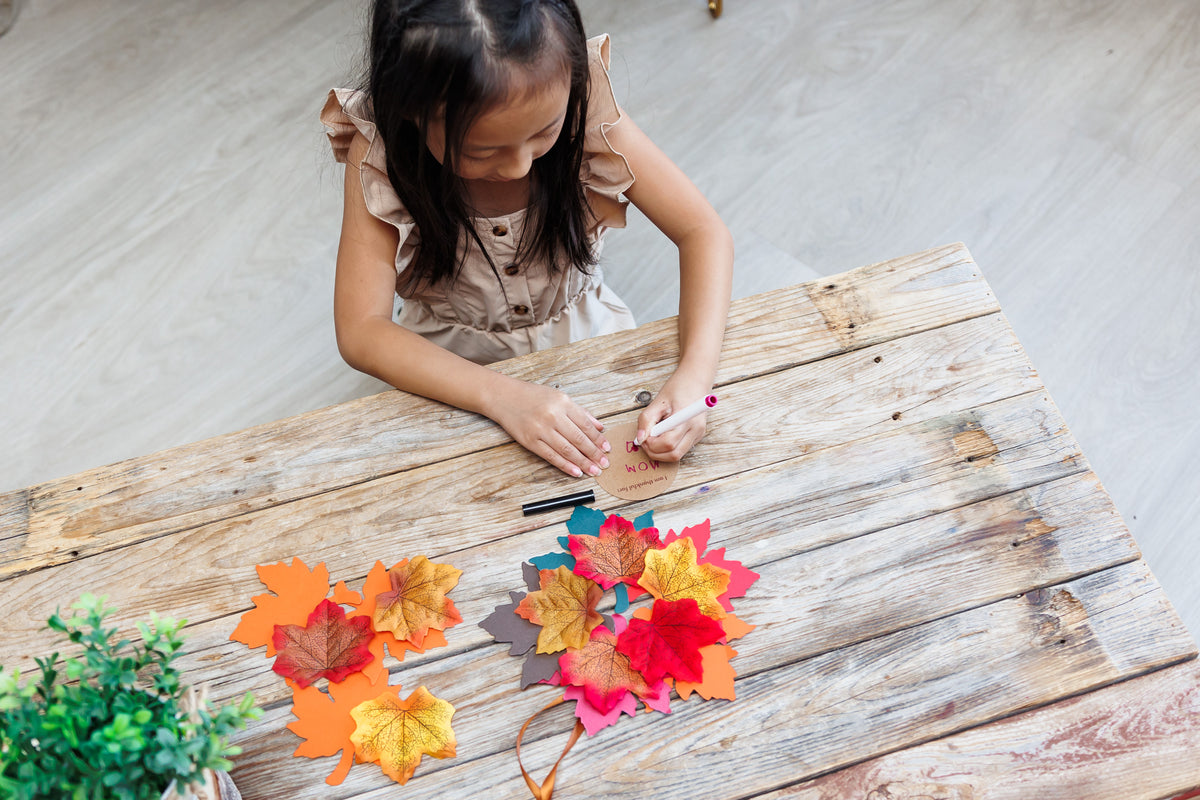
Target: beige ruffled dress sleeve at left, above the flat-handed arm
347 115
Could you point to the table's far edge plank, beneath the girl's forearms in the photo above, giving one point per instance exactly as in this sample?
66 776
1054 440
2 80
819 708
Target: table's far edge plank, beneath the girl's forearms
388 434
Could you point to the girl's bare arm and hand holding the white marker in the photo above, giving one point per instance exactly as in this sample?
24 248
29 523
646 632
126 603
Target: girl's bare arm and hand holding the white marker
706 281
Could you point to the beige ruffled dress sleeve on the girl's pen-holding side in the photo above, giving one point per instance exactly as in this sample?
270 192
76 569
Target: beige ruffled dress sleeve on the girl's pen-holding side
605 173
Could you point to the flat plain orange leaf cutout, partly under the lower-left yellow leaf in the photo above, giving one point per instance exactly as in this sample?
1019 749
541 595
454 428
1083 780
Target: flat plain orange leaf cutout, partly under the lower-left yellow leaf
325 723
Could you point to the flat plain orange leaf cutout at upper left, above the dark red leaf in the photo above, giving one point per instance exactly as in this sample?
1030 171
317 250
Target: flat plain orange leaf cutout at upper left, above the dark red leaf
297 590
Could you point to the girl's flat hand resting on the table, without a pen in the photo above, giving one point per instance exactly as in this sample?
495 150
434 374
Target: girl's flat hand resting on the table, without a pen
549 424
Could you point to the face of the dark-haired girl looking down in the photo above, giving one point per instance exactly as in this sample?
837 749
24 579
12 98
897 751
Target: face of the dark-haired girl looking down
505 141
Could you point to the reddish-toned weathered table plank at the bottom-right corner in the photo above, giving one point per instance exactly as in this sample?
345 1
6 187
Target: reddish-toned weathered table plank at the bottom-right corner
1137 741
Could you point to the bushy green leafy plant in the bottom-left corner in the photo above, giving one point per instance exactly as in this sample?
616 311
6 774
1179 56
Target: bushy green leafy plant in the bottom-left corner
116 721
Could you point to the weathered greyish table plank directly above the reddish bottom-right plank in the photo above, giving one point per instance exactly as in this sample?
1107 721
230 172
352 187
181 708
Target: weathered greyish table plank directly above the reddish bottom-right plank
874 697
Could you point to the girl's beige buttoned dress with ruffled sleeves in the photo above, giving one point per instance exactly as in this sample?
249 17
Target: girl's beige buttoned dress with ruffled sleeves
489 316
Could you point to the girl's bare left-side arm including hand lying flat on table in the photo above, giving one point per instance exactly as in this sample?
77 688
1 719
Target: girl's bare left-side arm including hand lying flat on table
543 420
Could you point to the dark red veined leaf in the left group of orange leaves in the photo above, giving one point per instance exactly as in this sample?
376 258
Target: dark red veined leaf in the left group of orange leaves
328 646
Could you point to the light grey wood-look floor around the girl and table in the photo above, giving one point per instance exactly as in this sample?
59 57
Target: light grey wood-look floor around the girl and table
170 213
